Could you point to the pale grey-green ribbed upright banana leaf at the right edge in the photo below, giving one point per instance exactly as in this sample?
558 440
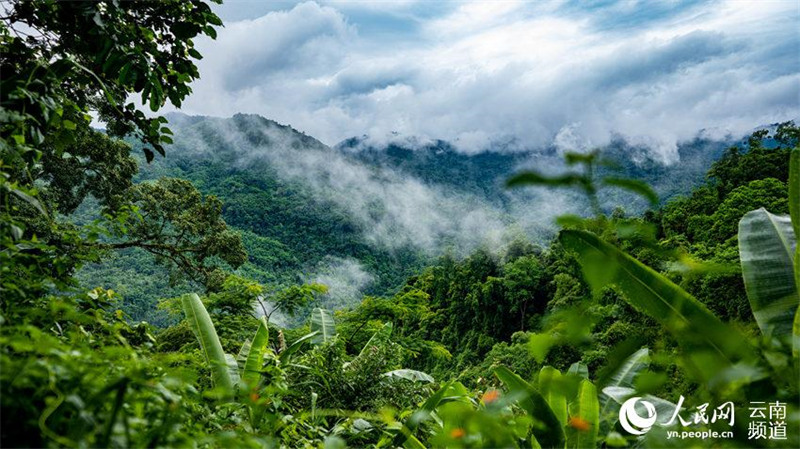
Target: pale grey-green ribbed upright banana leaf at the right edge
766 244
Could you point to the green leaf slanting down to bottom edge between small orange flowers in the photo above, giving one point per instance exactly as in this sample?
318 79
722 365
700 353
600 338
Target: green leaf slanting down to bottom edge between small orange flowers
549 432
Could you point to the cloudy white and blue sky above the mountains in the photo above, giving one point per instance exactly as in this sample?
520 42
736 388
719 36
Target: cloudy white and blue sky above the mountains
506 74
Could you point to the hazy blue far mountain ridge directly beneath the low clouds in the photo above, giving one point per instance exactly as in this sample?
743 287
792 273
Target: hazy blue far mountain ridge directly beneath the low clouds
485 173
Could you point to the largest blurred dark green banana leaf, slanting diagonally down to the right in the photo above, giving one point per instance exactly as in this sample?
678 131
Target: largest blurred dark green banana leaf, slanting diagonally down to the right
711 344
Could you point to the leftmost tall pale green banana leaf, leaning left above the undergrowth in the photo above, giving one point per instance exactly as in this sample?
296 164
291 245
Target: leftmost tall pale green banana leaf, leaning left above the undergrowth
203 328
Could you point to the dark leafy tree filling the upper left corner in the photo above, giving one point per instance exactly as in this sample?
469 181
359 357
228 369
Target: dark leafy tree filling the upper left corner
62 61
